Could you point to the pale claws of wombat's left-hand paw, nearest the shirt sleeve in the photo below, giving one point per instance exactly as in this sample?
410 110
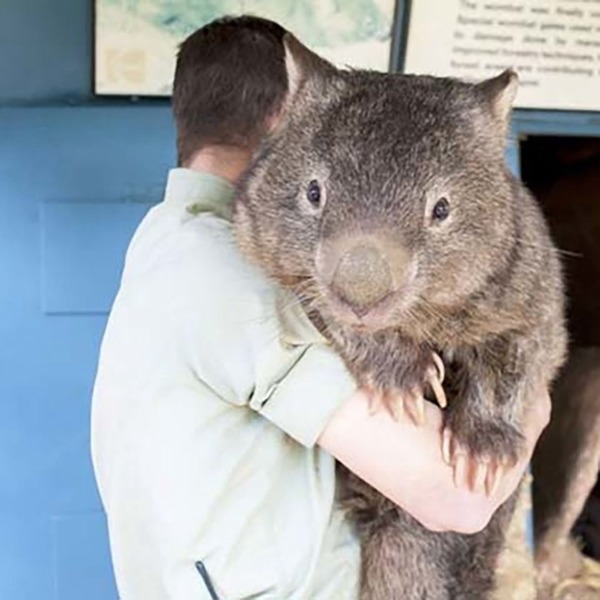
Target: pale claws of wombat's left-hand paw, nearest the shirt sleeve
400 401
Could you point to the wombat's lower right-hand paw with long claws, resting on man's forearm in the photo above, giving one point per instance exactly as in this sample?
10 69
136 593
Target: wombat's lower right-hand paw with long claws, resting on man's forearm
480 453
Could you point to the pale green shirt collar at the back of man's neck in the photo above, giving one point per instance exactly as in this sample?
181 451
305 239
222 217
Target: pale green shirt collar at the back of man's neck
200 192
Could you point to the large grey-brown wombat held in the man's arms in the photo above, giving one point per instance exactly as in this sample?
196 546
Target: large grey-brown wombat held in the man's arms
384 203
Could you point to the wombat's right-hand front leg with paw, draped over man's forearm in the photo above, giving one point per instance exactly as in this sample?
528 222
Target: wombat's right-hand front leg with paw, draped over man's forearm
482 431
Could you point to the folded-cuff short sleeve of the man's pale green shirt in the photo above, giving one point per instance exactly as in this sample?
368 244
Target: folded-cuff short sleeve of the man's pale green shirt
236 338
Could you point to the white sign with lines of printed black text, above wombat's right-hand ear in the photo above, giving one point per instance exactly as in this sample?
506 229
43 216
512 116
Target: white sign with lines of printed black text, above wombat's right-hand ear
554 45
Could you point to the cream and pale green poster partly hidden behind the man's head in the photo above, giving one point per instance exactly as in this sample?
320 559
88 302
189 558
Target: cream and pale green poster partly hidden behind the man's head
136 41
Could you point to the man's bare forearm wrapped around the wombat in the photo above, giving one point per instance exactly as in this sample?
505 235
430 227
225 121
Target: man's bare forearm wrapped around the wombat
404 462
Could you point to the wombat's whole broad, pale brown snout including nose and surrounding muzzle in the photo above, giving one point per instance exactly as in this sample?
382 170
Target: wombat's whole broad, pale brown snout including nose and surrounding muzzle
363 272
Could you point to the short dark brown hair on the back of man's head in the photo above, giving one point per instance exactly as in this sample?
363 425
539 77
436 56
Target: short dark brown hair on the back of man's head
229 79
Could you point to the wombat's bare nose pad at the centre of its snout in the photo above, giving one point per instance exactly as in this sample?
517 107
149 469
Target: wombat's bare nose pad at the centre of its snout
362 278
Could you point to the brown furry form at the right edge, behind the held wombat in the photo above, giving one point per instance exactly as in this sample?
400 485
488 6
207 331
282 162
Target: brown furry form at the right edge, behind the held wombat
565 468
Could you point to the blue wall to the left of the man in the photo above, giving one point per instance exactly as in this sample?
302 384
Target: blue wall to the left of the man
76 176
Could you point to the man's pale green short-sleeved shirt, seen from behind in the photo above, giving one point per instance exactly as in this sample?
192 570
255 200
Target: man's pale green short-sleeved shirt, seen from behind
212 389
